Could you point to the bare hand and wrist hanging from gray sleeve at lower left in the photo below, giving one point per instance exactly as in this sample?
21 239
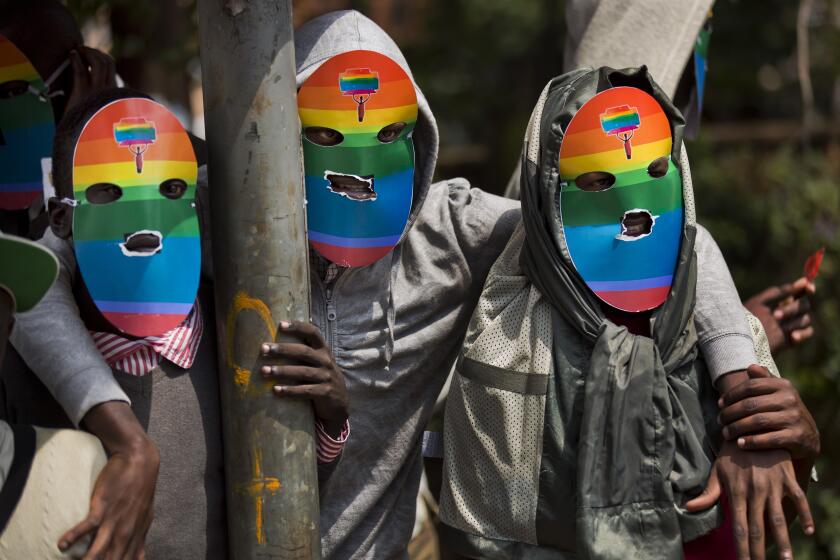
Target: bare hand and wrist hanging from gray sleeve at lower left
121 507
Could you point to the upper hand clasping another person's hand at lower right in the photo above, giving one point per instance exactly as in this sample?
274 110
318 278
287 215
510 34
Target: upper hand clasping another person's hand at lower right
767 412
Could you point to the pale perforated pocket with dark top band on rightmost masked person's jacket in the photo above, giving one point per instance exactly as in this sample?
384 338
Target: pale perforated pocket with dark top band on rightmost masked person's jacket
492 447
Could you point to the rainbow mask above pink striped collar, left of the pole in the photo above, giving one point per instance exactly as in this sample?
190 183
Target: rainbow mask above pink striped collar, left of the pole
135 228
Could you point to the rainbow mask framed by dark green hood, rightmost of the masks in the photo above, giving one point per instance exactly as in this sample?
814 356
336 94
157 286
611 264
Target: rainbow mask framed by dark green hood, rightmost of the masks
621 198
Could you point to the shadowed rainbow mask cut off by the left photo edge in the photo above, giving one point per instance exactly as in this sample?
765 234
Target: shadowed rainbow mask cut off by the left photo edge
27 128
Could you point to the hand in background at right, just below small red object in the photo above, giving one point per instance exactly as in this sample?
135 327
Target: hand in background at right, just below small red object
785 313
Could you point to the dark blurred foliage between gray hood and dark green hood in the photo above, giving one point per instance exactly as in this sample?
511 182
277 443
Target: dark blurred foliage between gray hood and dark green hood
482 66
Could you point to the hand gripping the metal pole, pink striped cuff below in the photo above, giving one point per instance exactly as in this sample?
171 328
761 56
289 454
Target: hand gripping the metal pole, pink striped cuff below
312 373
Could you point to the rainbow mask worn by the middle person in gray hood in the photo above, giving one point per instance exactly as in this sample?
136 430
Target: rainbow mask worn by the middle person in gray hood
358 112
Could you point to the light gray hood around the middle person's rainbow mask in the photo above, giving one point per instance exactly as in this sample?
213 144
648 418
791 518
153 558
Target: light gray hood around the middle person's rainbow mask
340 32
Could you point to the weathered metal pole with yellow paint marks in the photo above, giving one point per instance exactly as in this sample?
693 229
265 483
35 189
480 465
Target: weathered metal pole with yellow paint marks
261 271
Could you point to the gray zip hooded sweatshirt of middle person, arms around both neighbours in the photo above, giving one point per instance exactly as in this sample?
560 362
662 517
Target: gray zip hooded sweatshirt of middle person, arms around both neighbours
395 327
